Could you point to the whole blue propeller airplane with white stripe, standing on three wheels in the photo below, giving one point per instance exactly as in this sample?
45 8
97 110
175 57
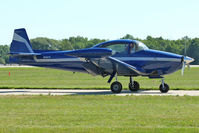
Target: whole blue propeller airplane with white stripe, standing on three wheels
111 58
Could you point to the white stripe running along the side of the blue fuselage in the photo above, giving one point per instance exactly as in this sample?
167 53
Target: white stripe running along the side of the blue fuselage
119 58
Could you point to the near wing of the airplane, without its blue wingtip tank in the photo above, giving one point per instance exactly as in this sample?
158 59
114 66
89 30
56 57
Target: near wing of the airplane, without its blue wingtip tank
108 66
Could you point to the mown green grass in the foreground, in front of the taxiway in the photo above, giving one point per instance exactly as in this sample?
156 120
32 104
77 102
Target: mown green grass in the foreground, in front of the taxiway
94 114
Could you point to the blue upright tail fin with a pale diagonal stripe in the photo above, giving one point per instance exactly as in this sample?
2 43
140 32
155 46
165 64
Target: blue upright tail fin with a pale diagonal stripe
20 43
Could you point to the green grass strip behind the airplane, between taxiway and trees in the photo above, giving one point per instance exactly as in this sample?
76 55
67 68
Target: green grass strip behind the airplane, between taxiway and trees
51 78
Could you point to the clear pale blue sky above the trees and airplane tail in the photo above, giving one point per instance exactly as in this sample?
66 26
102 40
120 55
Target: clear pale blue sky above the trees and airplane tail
104 19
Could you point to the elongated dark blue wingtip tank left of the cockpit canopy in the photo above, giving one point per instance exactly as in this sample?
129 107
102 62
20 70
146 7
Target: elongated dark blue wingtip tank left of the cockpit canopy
90 53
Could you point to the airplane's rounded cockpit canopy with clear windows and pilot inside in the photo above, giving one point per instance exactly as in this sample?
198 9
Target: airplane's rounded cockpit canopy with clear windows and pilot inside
123 46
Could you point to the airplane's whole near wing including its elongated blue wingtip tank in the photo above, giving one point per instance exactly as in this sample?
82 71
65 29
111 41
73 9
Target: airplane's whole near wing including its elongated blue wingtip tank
100 62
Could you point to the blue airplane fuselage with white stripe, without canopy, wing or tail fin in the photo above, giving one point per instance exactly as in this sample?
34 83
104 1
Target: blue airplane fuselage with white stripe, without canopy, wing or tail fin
147 61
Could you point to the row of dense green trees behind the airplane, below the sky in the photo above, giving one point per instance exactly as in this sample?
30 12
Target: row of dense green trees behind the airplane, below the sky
158 43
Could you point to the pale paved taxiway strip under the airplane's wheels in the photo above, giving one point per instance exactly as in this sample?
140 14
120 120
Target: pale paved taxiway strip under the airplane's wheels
96 92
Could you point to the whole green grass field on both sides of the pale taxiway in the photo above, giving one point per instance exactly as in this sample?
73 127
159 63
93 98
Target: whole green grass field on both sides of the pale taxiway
94 114
